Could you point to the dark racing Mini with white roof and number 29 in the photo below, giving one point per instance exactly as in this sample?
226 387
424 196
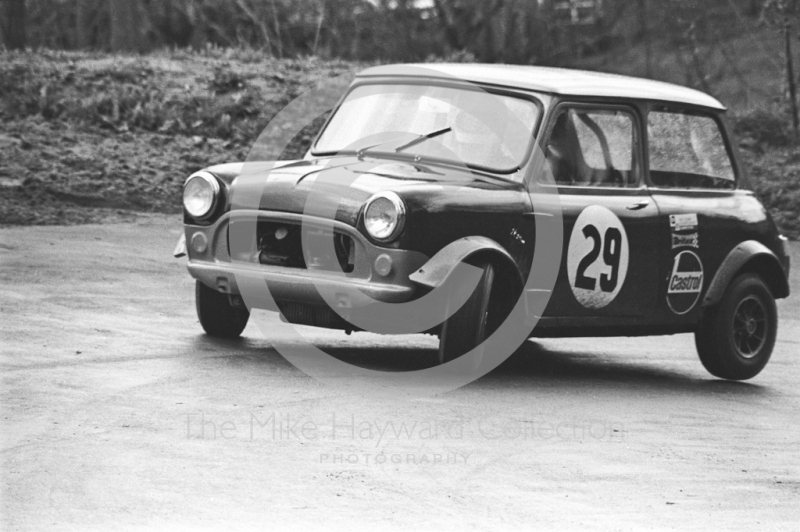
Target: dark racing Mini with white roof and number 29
432 167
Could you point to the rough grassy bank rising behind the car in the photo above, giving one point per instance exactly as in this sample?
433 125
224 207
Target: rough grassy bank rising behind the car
92 137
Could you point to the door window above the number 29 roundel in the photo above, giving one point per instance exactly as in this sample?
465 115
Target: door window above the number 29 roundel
599 148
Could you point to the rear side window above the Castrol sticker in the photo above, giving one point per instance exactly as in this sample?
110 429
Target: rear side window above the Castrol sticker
688 151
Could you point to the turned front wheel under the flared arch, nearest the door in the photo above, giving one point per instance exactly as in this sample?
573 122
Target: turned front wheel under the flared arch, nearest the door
469 326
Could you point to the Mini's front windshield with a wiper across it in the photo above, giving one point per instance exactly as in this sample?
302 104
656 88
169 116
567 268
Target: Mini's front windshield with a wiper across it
484 130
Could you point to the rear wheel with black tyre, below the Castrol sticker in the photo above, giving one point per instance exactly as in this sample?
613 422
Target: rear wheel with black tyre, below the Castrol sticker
736 338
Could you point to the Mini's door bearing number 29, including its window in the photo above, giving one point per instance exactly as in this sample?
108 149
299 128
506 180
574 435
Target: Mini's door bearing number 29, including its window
610 259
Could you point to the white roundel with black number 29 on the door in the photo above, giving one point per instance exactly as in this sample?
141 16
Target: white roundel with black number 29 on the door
597 257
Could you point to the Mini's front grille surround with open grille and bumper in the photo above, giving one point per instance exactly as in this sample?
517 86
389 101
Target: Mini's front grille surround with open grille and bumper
377 273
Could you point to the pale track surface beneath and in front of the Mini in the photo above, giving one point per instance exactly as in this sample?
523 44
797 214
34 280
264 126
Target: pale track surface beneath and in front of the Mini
118 413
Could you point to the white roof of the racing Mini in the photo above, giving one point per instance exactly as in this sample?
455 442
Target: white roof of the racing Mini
562 81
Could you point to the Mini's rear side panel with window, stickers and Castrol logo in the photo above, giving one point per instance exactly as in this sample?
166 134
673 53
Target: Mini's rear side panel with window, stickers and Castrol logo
693 180
